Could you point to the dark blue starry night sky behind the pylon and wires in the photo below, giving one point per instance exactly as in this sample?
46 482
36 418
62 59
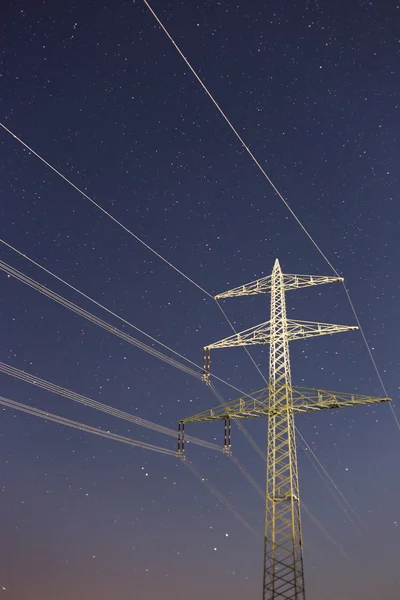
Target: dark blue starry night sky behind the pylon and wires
99 91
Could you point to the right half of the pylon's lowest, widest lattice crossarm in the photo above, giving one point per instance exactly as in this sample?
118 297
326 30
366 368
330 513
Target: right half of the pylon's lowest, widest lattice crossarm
310 399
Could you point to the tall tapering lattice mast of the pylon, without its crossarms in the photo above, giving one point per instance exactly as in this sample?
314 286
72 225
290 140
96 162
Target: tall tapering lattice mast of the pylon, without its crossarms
283 556
